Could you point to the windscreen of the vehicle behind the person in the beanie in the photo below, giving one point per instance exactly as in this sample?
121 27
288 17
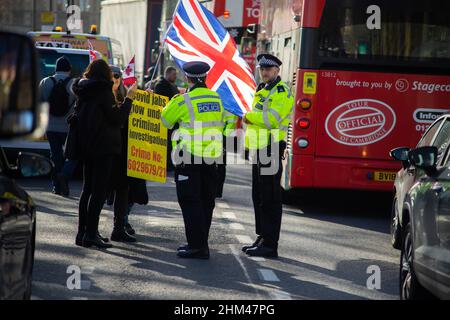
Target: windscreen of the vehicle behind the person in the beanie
47 59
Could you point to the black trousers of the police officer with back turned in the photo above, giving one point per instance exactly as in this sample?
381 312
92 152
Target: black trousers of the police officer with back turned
196 192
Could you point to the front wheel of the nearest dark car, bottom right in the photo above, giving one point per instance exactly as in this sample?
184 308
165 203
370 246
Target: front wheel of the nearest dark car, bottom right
410 288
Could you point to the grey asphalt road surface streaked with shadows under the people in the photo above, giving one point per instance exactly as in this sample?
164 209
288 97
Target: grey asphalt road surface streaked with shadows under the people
330 248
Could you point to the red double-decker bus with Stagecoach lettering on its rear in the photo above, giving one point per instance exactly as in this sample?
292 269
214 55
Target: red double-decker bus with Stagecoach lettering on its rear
368 76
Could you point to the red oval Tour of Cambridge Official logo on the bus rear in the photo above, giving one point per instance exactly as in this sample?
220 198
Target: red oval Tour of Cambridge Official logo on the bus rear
360 122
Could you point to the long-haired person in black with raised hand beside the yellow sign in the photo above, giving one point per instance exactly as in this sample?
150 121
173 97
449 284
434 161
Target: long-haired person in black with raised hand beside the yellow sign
99 140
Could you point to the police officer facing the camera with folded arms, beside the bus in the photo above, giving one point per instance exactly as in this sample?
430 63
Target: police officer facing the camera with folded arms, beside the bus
265 138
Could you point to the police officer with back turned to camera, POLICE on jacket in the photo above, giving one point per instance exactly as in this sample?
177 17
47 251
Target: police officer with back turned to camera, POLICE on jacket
197 148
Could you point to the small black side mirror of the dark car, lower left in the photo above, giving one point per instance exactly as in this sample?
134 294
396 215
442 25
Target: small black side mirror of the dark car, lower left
33 165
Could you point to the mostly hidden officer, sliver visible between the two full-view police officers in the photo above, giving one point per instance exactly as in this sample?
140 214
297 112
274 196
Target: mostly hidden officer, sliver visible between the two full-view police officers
230 122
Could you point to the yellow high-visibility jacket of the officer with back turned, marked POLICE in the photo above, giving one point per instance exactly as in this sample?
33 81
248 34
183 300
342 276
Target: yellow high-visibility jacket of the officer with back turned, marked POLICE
200 115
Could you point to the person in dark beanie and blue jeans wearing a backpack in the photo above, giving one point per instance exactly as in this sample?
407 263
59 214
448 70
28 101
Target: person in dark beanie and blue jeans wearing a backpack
57 91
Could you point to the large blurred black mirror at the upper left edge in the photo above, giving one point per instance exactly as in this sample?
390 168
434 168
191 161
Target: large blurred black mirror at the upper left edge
18 86
